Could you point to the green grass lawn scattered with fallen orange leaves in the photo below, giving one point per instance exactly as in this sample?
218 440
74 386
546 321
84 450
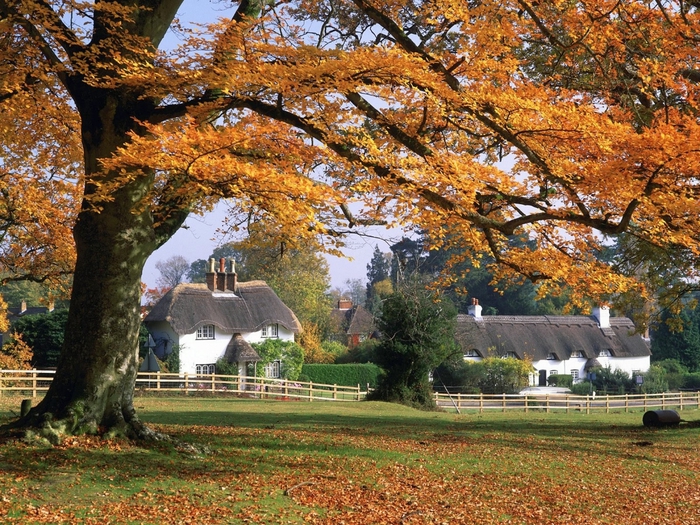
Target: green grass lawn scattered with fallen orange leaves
360 463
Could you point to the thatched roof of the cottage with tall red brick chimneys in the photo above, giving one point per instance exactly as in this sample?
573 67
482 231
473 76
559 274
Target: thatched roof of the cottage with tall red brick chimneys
254 305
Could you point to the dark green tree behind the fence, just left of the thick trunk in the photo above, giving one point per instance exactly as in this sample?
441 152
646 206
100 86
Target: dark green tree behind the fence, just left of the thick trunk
43 333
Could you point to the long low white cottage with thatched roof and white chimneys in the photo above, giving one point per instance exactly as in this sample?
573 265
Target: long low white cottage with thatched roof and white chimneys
556 344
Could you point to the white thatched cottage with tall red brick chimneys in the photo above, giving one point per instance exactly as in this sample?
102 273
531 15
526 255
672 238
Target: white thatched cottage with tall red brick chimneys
219 319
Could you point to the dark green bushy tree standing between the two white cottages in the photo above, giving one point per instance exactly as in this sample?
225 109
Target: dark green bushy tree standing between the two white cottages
417 328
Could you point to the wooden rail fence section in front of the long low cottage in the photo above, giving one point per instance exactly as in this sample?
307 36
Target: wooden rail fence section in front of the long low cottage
568 402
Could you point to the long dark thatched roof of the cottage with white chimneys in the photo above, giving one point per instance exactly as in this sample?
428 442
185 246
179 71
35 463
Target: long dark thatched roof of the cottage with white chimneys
539 336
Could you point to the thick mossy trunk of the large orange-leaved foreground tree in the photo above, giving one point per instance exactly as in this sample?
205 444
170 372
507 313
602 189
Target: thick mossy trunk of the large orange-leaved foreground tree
92 390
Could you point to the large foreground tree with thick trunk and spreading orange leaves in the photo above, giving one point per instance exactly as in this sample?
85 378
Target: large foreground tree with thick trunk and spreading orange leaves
561 121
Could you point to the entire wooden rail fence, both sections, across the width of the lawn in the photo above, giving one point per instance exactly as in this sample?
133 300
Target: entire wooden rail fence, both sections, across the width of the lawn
33 383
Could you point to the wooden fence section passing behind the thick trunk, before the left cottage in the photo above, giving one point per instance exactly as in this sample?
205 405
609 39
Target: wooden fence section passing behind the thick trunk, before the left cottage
32 383
